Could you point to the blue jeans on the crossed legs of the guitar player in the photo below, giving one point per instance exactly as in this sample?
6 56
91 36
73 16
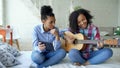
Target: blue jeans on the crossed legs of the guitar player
96 57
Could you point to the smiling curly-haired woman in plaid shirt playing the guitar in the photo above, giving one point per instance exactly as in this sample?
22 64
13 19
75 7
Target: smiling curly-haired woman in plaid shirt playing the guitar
80 22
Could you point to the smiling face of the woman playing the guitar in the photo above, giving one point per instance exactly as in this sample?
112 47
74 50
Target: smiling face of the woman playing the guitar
82 21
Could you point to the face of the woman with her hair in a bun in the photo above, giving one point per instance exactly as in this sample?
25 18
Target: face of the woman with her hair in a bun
49 23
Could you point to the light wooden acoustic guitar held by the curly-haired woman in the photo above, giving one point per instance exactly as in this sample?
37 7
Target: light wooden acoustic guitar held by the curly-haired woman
78 41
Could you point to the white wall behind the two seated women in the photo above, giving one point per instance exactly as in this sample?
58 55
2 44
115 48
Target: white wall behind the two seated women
105 13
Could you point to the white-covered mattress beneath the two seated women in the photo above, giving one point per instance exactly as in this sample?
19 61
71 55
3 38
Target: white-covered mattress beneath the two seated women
26 62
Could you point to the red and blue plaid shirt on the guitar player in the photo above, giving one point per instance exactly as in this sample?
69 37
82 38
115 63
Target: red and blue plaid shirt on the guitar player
92 33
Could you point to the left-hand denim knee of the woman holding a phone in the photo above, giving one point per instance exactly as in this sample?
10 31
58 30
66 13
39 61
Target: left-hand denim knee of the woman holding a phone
37 57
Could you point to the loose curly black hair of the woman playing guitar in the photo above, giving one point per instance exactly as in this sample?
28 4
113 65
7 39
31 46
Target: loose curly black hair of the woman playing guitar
73 19
